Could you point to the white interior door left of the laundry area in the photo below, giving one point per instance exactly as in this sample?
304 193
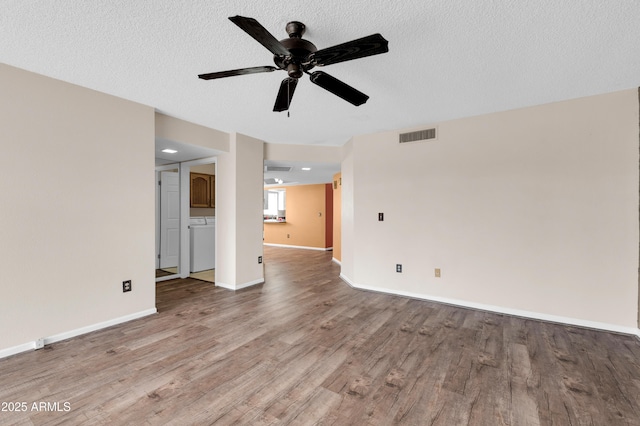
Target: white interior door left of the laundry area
169 219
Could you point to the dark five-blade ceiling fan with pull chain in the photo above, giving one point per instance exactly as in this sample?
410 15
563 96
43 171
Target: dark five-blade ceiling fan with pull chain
297 56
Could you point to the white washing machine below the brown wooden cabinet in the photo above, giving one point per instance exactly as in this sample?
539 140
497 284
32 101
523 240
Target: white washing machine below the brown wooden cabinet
202 232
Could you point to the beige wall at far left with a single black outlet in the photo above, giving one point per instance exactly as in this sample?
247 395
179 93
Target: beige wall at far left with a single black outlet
77 210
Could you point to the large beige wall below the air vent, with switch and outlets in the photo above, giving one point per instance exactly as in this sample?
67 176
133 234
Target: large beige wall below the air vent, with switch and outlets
532 211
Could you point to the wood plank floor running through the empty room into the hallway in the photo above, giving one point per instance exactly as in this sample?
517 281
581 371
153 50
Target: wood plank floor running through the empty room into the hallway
304 348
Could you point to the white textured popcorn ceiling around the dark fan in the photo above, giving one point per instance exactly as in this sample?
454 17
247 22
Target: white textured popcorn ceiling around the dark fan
447 59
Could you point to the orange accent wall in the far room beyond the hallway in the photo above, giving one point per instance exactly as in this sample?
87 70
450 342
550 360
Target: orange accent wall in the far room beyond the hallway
309 218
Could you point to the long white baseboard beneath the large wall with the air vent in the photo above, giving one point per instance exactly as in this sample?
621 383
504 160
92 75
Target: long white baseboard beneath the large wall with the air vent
502 310
